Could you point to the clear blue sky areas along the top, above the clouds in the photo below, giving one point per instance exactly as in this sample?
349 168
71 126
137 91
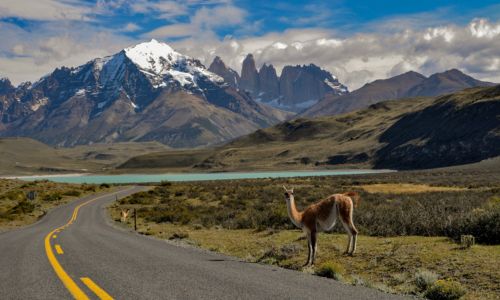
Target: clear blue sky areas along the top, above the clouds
270 16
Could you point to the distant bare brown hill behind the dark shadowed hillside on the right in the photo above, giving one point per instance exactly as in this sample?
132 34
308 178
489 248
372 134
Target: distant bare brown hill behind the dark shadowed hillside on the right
407 85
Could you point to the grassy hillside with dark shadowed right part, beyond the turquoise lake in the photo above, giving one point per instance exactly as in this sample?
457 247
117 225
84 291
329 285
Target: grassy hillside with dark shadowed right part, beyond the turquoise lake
403 134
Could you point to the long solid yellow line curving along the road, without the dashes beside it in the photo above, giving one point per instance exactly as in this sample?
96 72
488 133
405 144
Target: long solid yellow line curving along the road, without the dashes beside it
68 282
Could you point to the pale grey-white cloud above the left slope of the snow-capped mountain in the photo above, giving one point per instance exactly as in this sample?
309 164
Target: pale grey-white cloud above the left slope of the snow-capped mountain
26 55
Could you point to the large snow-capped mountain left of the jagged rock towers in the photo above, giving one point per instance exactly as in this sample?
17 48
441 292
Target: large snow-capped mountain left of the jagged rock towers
145 92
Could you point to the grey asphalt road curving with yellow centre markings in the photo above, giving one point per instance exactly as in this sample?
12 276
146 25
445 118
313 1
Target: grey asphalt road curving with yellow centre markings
90 258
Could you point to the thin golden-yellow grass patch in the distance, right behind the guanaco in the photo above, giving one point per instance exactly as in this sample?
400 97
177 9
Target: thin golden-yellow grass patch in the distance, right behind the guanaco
406 188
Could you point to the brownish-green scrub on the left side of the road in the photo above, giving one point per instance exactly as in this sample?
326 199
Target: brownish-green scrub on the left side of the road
16 209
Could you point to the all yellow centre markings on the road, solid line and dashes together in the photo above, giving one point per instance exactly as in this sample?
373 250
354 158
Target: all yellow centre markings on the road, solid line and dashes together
68 282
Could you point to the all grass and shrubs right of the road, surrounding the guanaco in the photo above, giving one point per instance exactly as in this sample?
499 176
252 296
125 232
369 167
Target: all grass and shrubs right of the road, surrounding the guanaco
411 226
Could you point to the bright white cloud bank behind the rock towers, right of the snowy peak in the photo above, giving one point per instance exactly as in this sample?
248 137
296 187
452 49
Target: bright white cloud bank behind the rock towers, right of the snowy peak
355 60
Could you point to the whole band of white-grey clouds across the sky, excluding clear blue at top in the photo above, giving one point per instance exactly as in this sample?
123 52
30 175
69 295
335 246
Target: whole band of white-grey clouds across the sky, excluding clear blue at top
68 37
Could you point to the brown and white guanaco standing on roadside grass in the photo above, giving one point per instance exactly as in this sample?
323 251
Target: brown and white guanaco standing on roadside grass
321 216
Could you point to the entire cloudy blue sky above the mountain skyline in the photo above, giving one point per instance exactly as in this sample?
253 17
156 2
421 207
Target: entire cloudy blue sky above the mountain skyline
356 40
